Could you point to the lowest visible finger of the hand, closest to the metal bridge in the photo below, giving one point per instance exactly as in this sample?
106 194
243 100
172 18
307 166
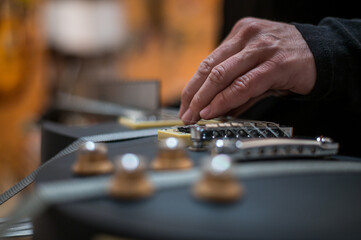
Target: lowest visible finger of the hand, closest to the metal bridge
251 85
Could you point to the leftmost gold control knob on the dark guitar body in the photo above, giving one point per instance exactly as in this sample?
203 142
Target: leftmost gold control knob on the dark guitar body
92 159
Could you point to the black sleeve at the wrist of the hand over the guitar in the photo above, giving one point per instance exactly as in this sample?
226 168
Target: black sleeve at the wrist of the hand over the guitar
336 46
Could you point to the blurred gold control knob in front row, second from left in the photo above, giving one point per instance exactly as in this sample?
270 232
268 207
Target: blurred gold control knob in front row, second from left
130 180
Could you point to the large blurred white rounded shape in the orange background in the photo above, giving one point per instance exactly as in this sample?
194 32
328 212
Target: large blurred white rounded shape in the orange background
84 27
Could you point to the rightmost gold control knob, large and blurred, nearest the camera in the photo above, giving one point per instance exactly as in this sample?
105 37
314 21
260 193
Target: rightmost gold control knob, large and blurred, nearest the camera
218 183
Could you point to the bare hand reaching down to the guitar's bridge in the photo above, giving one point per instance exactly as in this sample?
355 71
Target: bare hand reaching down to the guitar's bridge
258 58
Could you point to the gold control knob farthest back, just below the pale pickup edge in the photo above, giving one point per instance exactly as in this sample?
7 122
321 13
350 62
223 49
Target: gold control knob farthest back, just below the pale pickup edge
171 155
